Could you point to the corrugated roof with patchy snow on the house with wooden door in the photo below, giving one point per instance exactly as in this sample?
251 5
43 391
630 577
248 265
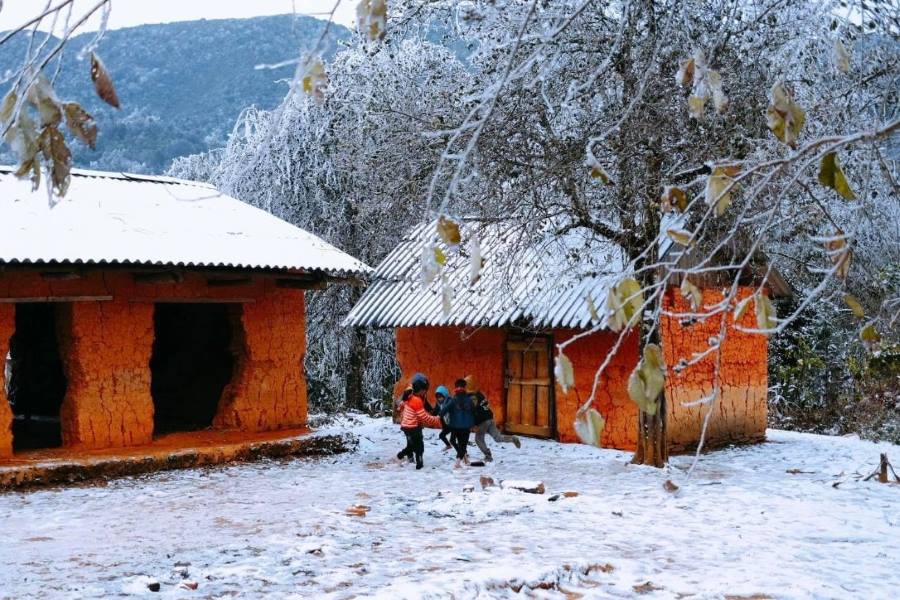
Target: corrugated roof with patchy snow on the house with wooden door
528 280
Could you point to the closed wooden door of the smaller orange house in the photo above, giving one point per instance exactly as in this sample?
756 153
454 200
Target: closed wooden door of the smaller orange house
529 386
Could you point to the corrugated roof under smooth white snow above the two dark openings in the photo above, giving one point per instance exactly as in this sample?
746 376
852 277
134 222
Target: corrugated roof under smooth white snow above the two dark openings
116 218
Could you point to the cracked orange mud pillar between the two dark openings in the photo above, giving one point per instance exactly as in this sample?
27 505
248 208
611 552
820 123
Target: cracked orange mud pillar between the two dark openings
105 348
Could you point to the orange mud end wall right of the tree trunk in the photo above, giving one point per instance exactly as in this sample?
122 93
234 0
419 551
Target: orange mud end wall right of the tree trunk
739 414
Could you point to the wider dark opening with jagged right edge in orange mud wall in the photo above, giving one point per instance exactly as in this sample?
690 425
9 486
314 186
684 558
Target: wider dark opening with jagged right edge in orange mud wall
191 364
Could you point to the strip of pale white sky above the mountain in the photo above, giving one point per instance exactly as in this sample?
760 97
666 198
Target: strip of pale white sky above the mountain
128 13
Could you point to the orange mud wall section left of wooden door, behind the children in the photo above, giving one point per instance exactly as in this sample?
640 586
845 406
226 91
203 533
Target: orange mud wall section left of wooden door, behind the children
445 354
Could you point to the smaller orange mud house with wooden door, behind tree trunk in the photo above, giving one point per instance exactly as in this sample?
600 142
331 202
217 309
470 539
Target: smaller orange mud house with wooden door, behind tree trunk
503 328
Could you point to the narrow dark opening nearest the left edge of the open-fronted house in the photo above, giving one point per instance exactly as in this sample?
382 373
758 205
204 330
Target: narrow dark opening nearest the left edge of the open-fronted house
35 379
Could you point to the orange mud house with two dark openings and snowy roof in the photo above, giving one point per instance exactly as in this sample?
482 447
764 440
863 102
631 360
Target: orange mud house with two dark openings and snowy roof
139 306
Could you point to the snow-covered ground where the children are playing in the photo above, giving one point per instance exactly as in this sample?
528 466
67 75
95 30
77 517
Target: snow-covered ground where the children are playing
752 522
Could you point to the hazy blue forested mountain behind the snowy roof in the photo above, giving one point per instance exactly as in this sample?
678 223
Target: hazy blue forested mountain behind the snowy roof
181 85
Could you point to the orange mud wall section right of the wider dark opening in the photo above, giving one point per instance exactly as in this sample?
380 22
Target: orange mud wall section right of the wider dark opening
268 389
